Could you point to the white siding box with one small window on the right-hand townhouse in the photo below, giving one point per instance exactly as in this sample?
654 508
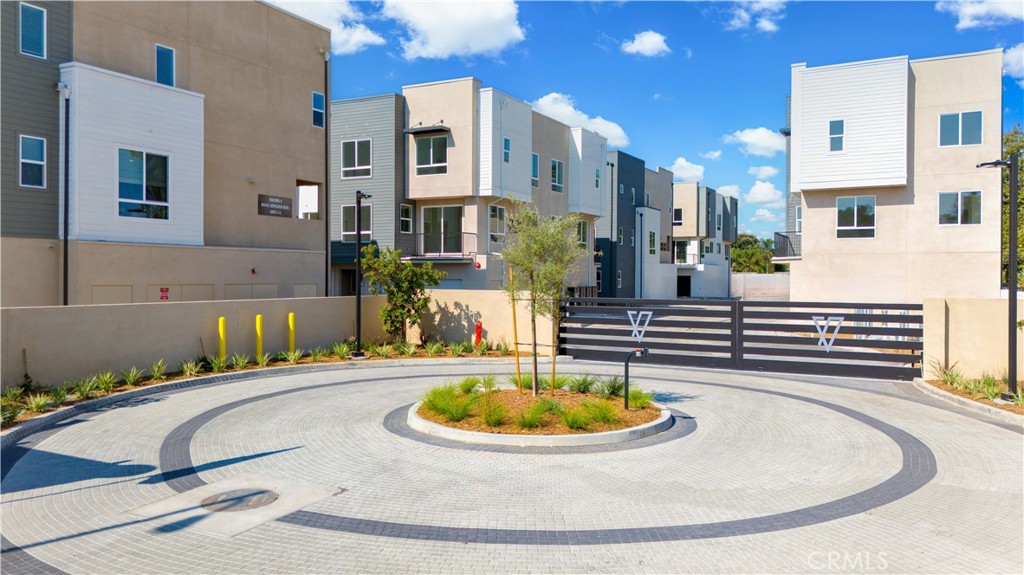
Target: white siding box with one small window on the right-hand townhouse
872 100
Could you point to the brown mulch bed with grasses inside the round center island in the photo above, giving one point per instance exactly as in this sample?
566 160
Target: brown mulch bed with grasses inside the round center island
517 405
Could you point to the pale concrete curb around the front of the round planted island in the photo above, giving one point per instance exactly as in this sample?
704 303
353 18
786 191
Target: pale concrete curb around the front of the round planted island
604 438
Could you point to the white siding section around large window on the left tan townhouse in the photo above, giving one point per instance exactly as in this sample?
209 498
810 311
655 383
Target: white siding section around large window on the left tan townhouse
111 111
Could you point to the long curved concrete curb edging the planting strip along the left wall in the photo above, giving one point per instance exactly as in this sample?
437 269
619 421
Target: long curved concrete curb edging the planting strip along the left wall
25 429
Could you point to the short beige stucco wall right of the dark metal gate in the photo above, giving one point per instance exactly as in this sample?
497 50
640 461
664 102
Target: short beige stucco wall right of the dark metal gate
971 334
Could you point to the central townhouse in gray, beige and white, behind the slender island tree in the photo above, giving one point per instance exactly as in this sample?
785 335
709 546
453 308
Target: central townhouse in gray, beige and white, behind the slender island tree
472 151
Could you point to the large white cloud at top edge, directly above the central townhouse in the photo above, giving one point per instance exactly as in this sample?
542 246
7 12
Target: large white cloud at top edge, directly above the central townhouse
442 30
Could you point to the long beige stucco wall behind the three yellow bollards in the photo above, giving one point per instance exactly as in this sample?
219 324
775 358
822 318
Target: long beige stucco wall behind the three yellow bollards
65 343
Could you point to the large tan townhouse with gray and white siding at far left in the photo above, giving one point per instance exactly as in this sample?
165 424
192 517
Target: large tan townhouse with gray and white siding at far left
161 152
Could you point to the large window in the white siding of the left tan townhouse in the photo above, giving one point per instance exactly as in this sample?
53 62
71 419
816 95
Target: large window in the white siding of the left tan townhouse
143 185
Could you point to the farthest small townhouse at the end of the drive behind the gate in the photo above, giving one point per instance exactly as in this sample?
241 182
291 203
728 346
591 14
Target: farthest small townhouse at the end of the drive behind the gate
704 229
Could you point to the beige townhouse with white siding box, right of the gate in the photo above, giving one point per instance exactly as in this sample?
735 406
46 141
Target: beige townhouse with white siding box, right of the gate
883 160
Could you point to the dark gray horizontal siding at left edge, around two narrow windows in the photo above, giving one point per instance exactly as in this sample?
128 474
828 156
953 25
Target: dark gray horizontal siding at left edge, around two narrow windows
30 107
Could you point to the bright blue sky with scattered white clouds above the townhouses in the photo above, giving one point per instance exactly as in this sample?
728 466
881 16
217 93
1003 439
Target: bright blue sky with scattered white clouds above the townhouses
698 87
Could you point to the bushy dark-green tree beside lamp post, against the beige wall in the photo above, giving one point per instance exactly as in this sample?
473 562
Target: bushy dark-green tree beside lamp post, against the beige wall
404 284
